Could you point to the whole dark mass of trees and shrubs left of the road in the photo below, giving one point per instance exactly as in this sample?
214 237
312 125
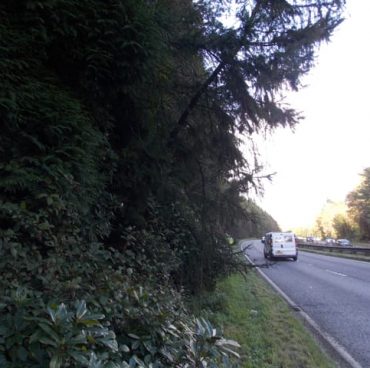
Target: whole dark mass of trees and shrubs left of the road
121 170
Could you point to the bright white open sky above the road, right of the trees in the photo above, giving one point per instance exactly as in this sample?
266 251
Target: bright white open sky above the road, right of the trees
323 158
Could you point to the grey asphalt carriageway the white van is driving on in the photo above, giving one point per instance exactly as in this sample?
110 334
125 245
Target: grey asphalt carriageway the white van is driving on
334 292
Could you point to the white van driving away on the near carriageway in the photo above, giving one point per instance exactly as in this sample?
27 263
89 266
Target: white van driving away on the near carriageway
280 245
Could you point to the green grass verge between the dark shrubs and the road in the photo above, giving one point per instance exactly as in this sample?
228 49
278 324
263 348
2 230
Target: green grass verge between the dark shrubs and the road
269 334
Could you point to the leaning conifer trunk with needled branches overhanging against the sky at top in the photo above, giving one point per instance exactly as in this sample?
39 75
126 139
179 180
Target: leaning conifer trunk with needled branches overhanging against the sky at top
268 52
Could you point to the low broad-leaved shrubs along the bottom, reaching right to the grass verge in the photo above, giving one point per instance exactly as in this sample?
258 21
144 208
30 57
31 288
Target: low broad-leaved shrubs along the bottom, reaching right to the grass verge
58 336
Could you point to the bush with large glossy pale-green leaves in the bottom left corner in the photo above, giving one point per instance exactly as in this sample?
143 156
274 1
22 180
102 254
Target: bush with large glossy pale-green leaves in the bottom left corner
59 339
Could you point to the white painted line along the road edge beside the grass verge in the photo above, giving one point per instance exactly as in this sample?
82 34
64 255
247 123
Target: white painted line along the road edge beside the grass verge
327 338
